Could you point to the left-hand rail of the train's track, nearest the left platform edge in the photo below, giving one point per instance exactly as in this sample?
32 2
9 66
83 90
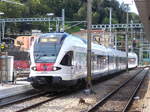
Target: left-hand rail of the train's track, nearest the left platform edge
20 99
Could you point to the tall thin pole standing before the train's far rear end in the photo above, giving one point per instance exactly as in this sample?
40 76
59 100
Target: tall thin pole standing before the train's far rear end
127 20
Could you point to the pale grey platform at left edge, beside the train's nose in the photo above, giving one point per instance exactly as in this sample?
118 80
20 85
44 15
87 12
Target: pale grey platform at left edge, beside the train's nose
10 89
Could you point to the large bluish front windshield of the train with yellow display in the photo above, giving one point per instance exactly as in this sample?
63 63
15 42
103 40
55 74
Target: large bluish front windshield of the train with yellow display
46 49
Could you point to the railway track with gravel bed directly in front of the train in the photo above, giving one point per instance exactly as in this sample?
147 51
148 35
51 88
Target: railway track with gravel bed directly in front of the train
22 104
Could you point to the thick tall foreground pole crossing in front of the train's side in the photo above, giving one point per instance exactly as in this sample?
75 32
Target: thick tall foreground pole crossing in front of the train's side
89 22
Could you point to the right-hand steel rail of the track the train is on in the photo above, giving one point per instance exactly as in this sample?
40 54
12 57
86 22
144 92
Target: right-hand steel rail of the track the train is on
39 103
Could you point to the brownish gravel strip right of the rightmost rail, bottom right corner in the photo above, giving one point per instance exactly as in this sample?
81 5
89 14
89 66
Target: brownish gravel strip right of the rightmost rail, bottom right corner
142 98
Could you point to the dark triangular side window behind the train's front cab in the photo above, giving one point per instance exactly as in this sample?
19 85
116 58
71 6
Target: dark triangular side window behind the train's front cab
67 59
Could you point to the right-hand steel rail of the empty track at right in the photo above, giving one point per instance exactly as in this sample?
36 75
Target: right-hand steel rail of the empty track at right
135 91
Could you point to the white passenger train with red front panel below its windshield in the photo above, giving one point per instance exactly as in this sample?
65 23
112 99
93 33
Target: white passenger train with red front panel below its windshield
59 60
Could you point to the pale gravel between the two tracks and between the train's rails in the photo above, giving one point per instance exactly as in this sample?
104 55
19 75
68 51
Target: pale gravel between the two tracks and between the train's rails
73 103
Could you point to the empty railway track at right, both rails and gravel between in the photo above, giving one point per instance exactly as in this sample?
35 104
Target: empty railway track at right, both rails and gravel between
120 99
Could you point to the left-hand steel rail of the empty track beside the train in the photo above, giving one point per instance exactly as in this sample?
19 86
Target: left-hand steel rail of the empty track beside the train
102 101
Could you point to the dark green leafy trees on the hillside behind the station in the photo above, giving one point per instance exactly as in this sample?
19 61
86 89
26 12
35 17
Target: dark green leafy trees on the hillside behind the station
74 10
